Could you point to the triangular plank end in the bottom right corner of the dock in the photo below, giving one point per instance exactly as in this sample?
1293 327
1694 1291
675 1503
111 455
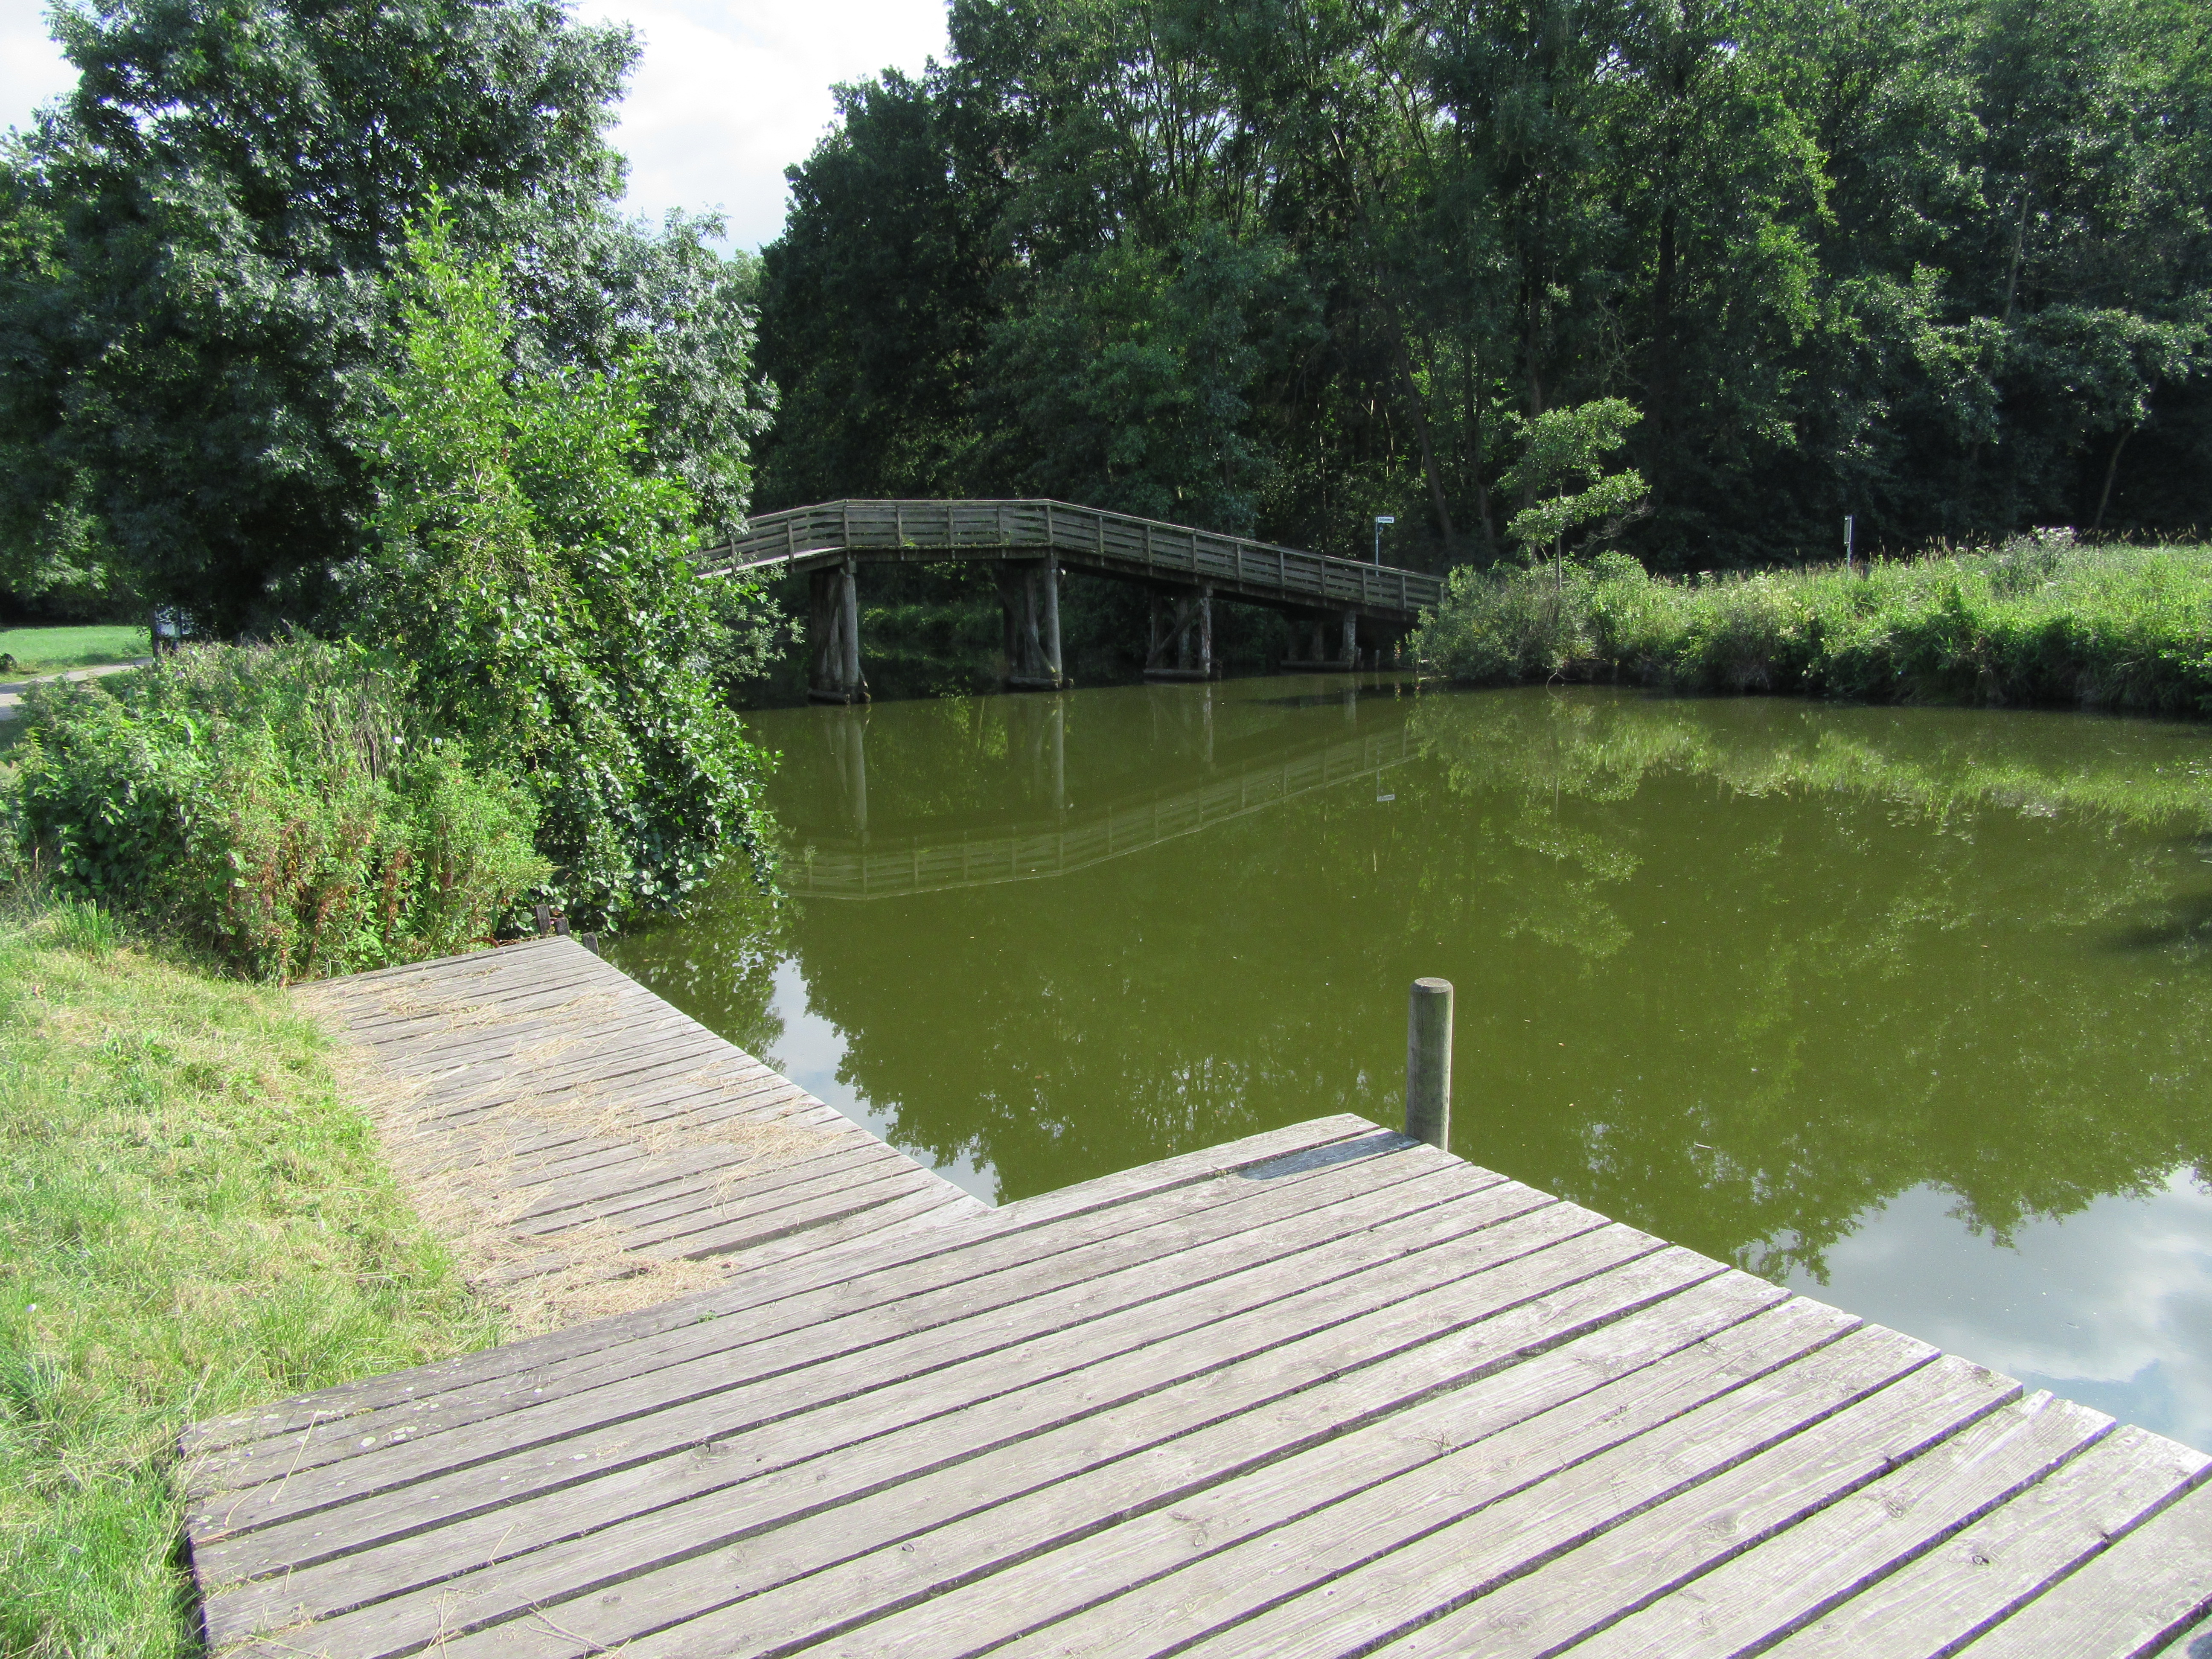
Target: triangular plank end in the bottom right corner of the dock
2127 1603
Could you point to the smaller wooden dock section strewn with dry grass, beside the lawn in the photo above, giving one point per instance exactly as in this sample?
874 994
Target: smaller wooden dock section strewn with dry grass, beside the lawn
587 1147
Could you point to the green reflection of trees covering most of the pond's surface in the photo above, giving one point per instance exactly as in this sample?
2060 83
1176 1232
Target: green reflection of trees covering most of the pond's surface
1733 972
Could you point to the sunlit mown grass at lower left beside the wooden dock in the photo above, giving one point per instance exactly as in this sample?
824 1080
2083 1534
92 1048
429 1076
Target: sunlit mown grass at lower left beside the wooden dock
191 1222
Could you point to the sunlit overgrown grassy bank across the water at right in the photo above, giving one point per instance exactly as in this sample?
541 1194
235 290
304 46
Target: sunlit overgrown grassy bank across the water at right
2034 623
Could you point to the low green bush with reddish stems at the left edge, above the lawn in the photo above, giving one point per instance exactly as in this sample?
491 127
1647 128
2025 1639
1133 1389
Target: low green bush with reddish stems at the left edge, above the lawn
284 806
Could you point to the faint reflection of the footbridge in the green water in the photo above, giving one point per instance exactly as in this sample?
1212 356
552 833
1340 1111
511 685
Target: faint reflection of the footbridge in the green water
928 864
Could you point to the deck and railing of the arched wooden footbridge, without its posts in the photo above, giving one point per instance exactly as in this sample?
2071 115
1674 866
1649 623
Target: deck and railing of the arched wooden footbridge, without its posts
1083 539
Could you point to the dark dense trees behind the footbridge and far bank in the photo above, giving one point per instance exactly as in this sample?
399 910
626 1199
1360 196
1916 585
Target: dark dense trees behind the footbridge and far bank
1941 267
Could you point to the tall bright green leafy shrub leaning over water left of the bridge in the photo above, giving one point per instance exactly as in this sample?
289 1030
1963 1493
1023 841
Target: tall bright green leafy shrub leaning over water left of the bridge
536 572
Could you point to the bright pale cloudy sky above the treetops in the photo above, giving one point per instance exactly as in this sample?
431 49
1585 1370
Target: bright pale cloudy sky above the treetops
724 98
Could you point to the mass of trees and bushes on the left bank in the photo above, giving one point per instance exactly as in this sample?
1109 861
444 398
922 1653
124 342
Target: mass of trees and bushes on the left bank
419 390
